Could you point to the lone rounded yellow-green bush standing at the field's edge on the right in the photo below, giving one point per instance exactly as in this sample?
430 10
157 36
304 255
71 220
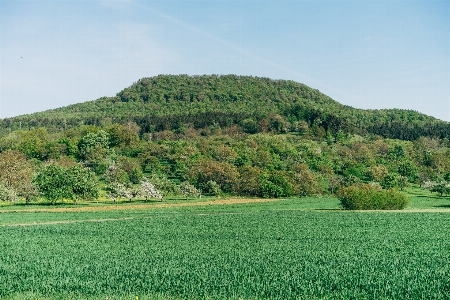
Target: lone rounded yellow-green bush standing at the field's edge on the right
367 196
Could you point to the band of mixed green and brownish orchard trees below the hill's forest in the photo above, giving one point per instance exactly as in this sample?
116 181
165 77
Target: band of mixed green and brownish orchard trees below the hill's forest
249 158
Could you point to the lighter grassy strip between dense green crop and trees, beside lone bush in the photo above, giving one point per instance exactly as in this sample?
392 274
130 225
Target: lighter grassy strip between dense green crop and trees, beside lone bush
37 213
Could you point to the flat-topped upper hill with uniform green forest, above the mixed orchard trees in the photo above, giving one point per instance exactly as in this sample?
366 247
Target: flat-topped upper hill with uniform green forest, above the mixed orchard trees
169 102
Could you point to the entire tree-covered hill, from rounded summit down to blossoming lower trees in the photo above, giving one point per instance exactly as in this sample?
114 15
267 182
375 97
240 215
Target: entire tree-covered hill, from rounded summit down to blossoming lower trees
185 135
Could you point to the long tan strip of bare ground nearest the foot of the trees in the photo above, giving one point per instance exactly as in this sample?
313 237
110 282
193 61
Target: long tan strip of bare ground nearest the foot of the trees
142 206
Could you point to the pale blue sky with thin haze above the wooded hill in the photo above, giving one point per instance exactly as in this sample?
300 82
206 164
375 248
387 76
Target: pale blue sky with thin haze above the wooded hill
366 54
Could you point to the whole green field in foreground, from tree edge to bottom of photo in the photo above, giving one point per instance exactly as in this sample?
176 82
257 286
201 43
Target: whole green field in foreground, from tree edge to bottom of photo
286 249
